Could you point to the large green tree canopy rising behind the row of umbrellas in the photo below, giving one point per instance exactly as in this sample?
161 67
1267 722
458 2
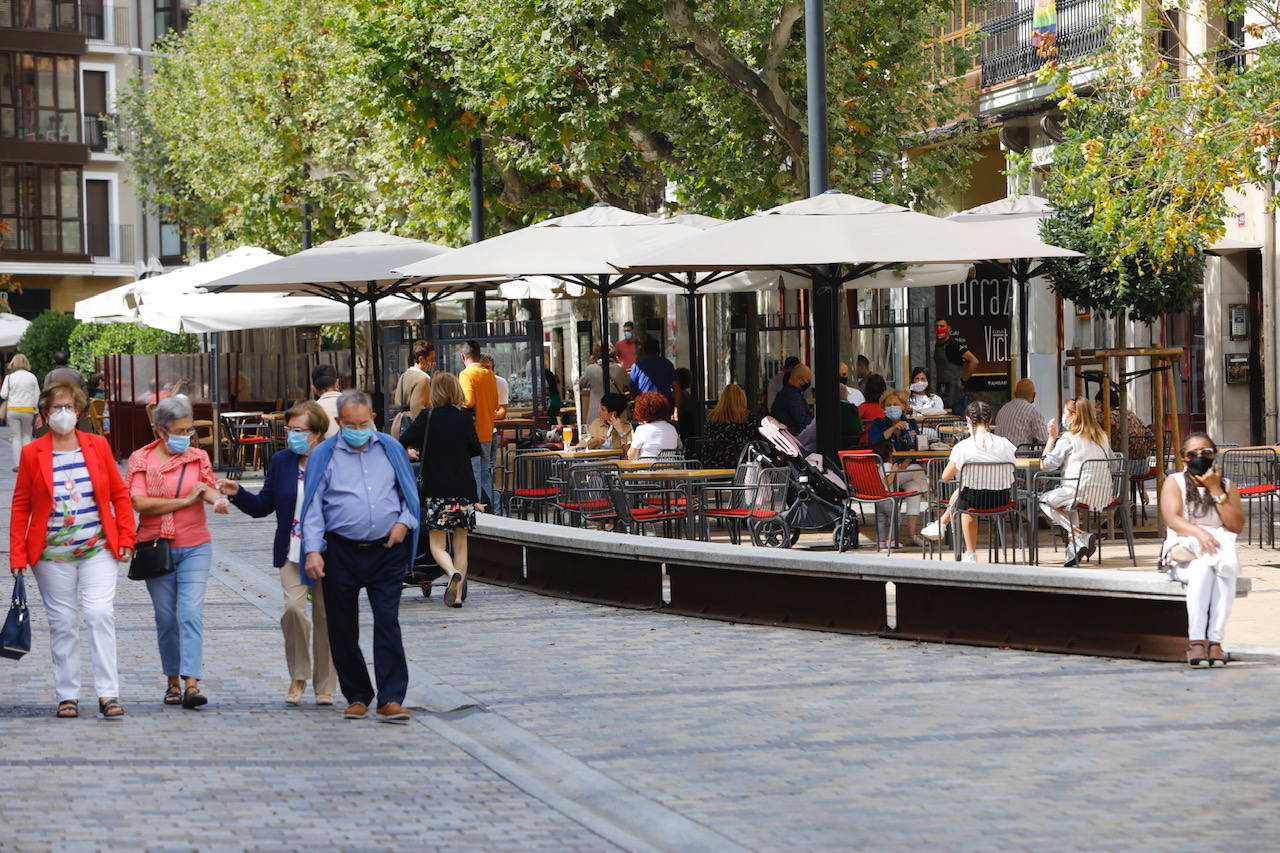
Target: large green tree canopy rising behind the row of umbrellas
365 110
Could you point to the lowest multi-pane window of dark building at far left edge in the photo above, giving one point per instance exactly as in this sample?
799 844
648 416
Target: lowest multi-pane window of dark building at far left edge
42 207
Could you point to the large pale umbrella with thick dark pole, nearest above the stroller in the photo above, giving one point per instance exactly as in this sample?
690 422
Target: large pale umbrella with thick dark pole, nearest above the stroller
831 240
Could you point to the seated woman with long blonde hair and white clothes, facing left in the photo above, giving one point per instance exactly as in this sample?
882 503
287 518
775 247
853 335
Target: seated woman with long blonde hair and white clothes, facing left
1082 440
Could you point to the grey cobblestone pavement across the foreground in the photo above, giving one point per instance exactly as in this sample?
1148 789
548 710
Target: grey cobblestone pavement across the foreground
561 726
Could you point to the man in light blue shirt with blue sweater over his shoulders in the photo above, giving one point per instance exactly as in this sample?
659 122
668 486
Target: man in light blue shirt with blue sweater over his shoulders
360 518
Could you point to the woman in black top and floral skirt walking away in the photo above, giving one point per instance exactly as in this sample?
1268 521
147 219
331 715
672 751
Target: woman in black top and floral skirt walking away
446 445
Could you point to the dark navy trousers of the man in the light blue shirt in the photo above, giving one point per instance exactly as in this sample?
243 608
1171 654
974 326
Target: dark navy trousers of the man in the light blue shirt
381 572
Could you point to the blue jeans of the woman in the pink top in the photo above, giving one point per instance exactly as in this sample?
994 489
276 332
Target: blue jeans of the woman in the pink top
179 600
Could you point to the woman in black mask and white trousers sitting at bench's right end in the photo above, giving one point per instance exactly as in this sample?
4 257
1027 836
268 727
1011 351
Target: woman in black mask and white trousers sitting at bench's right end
1204 514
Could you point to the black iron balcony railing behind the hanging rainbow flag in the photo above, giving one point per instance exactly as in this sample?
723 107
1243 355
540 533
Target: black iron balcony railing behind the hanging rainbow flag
1008 52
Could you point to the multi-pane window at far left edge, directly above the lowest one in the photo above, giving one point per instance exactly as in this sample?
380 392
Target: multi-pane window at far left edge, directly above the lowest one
38 98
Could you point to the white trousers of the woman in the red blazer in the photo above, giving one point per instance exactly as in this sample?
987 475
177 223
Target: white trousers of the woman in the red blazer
67 589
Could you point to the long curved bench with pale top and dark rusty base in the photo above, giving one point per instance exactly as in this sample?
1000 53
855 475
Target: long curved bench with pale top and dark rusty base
1086 612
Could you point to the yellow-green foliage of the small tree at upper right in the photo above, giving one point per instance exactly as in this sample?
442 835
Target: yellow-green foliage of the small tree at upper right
1141 181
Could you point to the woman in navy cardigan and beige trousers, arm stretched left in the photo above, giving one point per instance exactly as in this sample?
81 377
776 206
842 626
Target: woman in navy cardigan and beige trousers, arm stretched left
307 426
